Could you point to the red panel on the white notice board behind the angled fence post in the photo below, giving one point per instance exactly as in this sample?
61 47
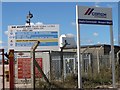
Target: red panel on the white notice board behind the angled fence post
24 68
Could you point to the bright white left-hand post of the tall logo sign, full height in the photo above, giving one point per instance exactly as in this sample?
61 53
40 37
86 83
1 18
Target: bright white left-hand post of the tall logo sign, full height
78 50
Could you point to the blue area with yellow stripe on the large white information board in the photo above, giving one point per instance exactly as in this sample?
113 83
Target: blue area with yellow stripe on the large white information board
27 39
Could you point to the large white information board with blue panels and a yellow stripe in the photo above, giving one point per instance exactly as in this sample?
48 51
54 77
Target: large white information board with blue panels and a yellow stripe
22 38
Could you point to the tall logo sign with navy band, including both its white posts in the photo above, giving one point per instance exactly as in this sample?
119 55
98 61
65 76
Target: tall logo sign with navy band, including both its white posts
94 15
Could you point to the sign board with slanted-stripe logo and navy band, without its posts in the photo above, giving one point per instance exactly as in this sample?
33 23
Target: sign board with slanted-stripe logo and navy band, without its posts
94 15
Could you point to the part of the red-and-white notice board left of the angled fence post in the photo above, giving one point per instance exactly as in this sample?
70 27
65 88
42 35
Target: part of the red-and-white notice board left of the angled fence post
22 70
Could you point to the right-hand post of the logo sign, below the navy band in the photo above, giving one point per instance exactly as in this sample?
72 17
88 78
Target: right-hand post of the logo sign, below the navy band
112 56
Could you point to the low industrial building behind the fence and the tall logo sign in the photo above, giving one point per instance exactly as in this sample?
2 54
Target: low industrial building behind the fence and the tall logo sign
94 57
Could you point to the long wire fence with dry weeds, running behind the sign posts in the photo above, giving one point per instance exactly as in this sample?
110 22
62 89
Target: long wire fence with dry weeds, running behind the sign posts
96 70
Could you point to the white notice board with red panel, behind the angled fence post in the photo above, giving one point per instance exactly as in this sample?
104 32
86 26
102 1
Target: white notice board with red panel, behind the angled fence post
23 68
